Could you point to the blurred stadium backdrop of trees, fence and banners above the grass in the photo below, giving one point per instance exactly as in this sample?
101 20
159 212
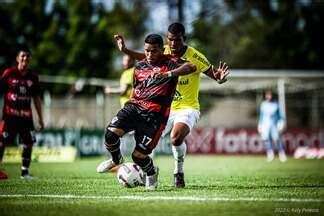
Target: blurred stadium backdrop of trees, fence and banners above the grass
74 68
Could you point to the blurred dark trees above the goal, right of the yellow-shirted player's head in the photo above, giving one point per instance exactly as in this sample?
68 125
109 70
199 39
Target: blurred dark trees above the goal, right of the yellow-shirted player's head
263 34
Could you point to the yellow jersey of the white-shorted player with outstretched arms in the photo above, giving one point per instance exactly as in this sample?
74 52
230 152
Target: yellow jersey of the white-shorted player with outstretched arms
187 92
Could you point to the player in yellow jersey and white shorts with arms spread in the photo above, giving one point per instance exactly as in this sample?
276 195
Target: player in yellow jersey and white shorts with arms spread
185 109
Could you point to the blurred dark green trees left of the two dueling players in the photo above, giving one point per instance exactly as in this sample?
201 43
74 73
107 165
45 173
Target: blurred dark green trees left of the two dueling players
70 38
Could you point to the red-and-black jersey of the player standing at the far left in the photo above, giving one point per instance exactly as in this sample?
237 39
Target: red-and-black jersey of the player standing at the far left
18 90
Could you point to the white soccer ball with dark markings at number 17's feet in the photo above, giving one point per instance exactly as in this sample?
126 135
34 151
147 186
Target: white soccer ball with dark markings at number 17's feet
130 175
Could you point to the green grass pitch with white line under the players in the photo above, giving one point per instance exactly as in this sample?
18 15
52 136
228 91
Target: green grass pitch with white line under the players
215 185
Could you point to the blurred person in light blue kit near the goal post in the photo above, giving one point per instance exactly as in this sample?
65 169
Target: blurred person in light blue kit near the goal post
270 126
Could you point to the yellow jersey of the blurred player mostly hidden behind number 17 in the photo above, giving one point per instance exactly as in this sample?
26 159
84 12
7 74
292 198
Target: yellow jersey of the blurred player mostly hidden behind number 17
126 79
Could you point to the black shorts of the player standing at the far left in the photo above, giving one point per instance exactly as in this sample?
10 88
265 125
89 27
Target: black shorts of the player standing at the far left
17 126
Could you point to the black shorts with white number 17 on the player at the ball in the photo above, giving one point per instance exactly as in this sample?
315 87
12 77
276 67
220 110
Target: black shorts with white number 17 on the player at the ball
148 126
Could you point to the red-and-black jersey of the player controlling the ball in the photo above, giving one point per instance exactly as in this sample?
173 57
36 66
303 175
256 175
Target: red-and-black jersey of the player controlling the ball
154 94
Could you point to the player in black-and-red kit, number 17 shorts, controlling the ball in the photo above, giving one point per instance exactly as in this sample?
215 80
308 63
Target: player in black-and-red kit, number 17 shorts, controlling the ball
146 113
